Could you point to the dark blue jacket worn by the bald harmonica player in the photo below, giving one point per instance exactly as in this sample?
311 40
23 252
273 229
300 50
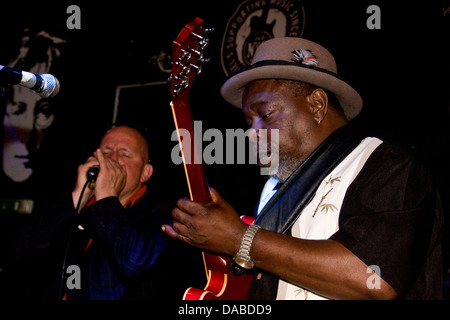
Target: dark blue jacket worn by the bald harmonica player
121 259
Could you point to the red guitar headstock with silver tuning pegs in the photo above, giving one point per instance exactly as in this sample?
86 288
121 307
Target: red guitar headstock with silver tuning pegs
188 57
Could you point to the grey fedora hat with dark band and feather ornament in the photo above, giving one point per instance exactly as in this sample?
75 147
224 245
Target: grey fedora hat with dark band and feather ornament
294 59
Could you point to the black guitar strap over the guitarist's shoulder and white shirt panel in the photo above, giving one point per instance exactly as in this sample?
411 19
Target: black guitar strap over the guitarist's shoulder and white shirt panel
287 204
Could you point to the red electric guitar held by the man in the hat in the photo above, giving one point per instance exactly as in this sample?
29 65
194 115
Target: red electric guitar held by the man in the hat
188 58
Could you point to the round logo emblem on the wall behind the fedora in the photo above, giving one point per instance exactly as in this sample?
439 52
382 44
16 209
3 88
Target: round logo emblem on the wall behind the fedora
254 22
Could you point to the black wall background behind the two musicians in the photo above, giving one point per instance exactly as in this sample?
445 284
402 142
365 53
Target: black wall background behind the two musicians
401 71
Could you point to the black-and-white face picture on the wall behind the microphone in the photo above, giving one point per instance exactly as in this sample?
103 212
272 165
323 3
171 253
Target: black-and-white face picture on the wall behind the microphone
25 114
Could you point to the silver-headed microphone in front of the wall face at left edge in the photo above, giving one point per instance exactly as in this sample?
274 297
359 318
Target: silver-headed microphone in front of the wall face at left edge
46 85
